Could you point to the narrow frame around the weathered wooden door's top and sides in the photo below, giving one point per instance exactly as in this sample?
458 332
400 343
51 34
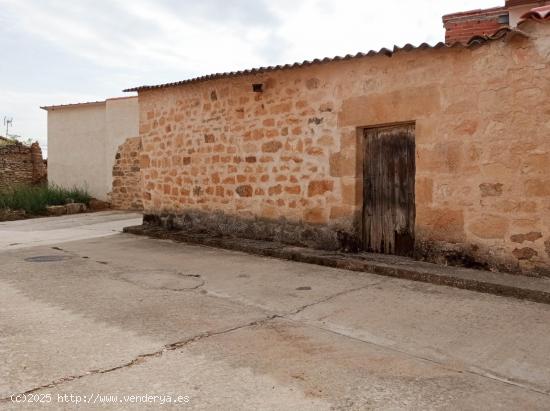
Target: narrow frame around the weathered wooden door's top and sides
361 172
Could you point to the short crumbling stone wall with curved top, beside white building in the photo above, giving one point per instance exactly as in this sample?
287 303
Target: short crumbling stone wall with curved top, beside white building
126 194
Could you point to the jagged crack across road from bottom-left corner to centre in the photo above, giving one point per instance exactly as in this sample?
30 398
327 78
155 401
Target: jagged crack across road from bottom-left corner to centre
142 357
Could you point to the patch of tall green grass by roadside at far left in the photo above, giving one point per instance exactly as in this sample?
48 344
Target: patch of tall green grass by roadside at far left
35 199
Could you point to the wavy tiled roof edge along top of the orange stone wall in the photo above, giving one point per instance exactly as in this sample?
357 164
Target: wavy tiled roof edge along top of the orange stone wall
475 41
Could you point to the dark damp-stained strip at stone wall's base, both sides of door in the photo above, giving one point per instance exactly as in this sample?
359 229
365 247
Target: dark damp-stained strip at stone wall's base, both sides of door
337 238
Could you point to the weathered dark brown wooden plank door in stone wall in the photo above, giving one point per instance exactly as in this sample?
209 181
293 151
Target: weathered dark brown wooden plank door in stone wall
388 190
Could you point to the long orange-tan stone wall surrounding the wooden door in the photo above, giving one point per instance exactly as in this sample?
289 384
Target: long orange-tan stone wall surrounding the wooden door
293 153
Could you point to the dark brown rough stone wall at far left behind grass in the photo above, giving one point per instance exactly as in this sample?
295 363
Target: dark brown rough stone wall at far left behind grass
21 164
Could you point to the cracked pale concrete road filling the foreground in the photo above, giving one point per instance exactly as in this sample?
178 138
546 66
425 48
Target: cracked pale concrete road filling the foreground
113 321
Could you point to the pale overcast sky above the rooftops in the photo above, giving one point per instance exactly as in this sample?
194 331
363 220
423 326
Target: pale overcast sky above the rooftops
66 51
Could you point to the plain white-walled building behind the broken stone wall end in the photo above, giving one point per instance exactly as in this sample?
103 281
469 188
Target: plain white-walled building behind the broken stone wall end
83 140
